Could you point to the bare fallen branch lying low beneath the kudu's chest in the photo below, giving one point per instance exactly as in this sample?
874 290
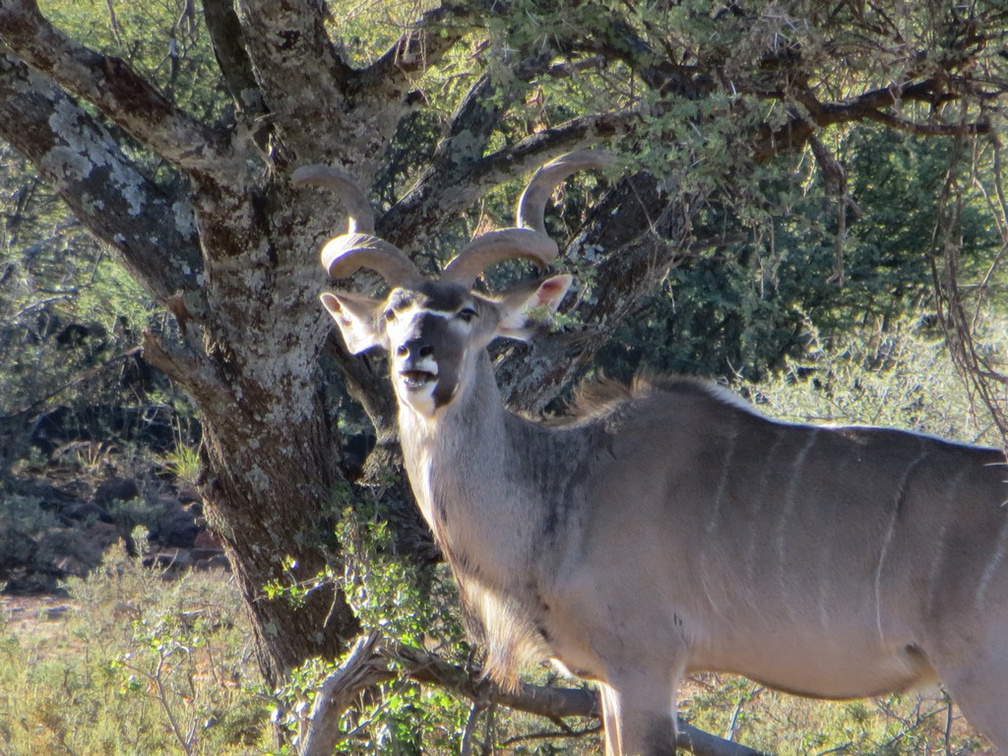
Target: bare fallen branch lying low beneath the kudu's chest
371 661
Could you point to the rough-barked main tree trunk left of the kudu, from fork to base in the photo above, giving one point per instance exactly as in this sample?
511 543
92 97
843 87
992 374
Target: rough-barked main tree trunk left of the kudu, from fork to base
248 354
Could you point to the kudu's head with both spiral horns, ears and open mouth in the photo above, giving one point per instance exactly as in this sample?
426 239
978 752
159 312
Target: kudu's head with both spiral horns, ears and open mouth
435 330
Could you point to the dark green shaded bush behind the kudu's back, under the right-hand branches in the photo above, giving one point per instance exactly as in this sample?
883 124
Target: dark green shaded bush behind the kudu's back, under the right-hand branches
746 309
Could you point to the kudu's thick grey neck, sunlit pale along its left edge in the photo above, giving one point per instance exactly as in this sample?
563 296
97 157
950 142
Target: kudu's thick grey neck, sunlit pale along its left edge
480 472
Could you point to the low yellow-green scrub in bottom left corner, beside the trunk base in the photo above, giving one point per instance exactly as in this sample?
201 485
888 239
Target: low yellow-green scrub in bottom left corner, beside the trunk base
141 666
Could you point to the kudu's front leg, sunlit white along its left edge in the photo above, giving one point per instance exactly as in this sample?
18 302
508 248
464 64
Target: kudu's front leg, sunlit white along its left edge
639 712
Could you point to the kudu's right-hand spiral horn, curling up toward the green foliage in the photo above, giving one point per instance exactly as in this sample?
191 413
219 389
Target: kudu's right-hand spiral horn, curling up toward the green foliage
529 240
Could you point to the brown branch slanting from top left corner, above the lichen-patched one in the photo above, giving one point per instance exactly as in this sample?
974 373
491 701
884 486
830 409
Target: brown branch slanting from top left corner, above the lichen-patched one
112 86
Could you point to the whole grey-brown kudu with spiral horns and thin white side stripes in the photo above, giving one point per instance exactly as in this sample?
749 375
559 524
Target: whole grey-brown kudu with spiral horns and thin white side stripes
671 528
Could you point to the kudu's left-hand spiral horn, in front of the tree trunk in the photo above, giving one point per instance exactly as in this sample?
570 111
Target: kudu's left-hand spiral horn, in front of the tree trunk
359 248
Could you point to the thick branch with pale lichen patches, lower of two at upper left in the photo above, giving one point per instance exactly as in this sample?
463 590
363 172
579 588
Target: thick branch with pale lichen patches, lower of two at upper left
154 231
